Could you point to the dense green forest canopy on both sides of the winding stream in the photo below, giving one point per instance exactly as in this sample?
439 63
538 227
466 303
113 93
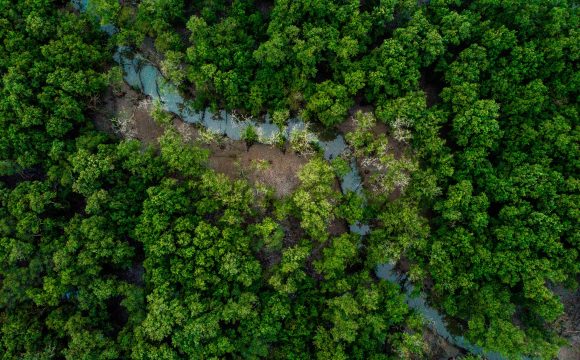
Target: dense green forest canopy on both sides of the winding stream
463 117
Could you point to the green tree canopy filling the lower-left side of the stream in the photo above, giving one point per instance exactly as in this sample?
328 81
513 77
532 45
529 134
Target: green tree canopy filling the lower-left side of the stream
114 250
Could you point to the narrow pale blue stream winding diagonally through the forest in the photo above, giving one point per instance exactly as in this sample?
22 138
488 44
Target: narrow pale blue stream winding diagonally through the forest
142 74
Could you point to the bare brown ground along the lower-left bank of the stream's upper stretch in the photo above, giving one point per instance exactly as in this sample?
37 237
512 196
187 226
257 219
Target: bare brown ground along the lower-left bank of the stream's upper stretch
127 114
